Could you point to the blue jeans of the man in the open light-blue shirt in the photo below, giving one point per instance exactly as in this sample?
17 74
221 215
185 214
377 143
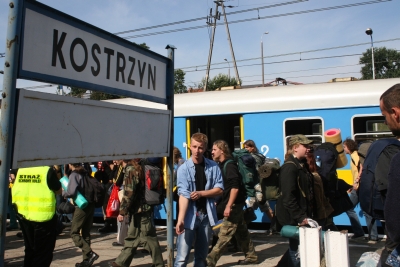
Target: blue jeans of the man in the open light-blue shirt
201 232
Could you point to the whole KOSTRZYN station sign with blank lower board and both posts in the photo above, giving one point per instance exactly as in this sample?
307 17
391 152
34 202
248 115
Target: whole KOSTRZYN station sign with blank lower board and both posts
46 45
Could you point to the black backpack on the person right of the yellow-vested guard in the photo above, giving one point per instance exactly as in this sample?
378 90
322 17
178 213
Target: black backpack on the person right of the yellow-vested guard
94 191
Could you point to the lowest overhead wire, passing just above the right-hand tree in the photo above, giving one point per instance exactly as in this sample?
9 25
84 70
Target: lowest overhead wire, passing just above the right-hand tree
293 53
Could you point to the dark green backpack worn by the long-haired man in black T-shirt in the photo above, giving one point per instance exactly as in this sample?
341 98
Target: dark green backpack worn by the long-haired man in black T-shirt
247 168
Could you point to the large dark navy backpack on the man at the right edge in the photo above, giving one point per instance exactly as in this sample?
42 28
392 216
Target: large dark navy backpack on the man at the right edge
369 192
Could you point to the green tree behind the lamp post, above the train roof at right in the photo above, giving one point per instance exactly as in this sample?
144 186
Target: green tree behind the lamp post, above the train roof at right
387 63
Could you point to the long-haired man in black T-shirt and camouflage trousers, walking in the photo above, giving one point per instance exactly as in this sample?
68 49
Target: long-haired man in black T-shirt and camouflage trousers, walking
231 208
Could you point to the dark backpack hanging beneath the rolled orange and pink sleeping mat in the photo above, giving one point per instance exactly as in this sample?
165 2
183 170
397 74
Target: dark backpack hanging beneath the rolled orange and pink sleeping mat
326 157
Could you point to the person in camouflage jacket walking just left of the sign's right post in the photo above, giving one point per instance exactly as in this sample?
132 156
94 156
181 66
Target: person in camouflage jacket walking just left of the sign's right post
141 229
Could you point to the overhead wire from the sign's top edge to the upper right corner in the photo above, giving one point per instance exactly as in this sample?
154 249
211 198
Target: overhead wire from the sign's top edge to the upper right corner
265 17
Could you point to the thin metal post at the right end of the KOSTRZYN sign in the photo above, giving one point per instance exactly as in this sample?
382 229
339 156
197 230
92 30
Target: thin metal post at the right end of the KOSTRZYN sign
170 210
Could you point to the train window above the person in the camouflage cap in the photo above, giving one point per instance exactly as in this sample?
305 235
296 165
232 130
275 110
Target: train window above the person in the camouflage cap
310 127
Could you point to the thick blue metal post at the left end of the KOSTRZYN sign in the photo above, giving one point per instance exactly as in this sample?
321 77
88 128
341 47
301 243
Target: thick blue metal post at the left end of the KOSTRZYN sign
9 96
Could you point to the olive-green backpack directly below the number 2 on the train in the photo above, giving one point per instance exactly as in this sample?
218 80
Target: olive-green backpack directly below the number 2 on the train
269 179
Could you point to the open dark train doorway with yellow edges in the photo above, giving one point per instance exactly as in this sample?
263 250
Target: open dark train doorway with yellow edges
225 127
